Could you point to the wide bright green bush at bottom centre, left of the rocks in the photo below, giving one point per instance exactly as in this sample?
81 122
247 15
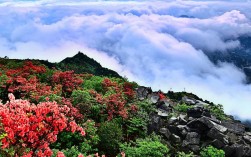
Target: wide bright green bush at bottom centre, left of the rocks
147 147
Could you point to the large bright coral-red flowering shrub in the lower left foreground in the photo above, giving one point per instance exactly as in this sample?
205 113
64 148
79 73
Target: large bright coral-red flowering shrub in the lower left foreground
34 127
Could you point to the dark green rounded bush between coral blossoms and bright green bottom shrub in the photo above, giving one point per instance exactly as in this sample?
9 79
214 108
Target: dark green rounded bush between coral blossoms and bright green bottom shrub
111 135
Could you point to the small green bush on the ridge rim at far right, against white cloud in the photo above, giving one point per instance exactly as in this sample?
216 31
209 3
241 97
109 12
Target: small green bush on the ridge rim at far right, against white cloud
217 111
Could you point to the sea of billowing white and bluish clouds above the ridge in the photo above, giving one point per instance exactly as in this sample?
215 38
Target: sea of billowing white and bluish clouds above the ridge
146 41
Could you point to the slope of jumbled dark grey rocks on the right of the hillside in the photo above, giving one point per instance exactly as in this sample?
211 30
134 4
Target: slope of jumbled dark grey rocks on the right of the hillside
197 126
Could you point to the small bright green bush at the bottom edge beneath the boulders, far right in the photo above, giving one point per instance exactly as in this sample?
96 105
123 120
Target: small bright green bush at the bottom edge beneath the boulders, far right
211 151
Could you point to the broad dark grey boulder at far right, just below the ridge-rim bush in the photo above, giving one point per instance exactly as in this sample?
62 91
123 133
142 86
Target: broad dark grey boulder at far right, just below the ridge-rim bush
235 127
